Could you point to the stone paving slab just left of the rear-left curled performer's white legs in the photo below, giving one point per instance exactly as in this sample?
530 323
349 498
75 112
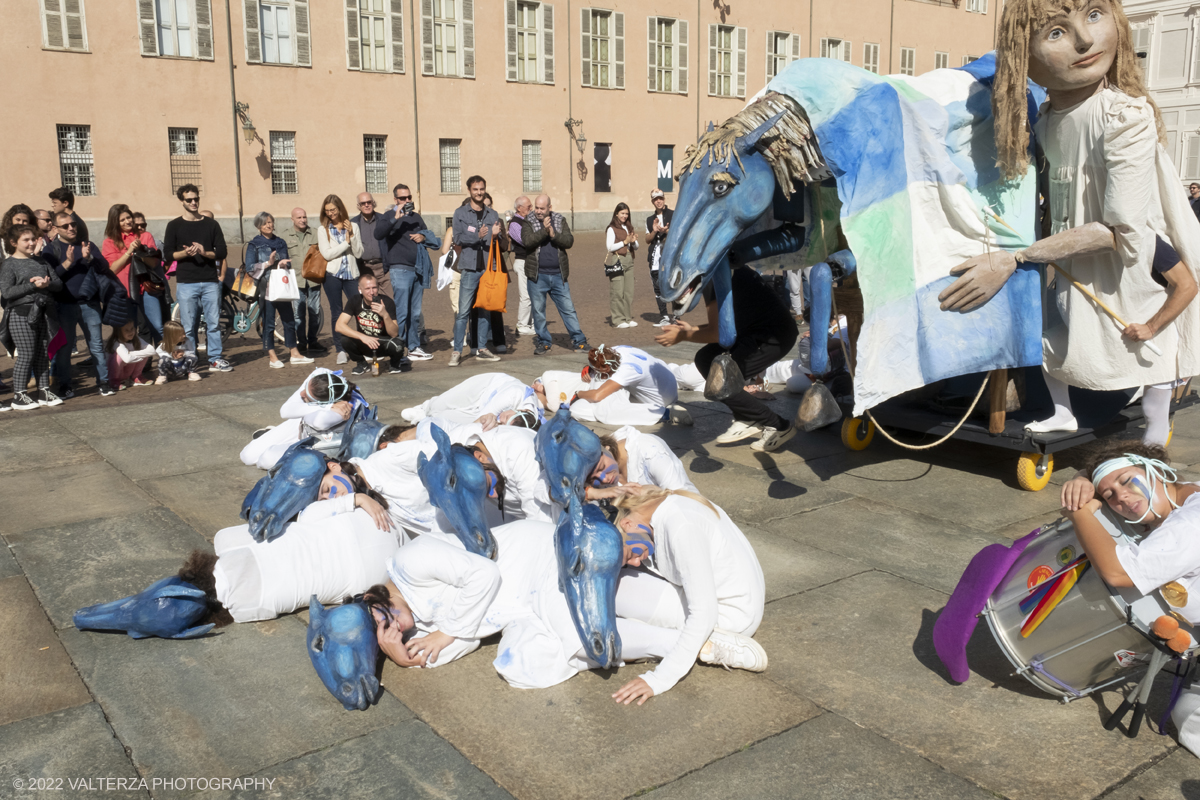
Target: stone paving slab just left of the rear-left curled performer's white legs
181 449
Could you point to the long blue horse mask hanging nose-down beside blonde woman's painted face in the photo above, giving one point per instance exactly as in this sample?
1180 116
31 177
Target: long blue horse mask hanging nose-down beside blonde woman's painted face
590 554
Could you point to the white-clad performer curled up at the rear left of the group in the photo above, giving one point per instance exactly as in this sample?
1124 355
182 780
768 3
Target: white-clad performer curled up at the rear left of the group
320 408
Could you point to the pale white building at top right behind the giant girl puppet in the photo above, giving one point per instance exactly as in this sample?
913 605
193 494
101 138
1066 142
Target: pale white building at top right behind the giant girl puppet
1167 37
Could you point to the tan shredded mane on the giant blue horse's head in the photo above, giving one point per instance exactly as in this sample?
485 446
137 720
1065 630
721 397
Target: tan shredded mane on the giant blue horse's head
790 148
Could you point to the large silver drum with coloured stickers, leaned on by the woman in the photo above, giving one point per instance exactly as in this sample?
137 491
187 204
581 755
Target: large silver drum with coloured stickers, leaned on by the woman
1097 636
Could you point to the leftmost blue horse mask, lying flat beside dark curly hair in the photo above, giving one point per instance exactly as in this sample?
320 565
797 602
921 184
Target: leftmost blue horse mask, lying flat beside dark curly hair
169 609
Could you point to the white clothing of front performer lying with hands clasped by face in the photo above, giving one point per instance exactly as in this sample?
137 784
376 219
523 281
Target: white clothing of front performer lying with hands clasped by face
471 598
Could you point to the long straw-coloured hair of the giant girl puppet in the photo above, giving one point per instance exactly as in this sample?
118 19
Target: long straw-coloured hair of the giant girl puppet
1018 26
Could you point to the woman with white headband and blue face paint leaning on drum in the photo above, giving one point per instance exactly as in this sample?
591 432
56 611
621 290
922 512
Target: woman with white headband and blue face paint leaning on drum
1136 483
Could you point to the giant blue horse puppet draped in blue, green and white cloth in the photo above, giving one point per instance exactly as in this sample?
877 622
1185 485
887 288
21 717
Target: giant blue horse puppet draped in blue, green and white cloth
914 160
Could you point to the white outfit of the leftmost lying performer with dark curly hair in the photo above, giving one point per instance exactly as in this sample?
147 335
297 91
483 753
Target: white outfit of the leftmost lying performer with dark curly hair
332 557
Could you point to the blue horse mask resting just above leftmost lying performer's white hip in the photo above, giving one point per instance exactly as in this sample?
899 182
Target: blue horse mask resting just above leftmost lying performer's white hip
292 485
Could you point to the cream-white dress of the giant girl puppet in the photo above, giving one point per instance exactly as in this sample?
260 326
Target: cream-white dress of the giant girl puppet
1108 167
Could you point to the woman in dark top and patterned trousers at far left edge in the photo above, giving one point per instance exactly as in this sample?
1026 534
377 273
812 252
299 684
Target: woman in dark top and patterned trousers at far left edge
27 287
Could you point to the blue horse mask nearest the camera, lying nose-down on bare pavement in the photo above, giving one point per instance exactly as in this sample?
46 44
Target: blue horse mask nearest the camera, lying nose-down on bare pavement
344 651
